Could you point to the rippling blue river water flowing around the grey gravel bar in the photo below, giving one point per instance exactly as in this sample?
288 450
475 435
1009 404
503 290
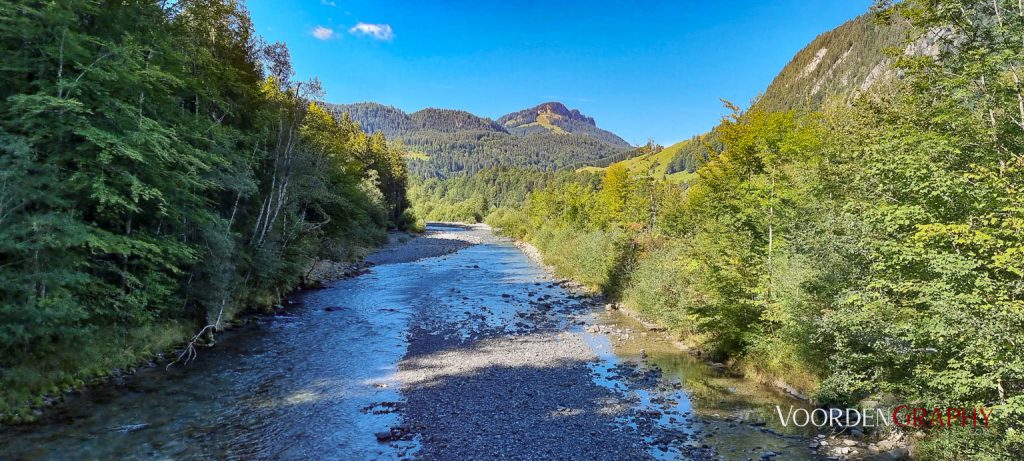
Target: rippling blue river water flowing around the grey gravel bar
320 382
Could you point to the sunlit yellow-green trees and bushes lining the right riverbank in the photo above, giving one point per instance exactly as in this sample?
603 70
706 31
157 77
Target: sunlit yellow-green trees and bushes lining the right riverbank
866 254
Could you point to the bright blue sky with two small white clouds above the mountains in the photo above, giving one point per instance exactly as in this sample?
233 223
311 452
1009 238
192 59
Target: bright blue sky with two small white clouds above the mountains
642 69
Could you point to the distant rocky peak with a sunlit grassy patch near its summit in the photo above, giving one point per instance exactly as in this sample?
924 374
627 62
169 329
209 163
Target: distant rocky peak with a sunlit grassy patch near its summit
557 118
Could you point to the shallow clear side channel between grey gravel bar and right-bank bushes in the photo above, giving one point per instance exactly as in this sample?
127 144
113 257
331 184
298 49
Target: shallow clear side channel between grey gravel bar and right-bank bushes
689 397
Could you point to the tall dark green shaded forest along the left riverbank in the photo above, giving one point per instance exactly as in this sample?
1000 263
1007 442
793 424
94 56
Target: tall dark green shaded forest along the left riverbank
161 172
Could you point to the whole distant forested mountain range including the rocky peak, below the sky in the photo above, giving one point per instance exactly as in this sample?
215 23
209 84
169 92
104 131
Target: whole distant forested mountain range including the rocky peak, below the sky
447 142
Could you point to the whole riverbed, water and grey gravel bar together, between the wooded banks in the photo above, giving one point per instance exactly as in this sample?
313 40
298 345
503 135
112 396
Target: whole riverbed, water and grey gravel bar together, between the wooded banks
453 346
